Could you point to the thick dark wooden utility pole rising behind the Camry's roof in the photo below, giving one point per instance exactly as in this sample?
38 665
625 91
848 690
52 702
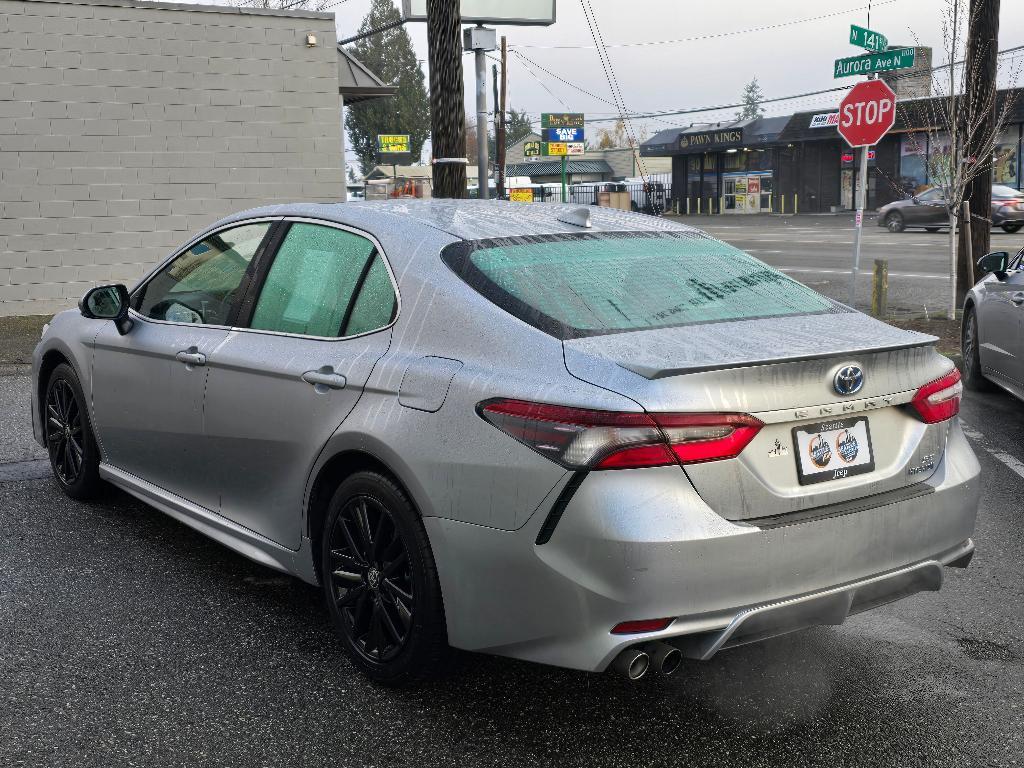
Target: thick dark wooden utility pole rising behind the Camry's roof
448 112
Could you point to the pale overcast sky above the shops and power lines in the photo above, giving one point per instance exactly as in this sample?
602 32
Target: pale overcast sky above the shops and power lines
732 48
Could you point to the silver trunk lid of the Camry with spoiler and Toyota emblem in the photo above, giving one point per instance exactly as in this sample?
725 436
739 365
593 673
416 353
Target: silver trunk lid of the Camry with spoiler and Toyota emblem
782 371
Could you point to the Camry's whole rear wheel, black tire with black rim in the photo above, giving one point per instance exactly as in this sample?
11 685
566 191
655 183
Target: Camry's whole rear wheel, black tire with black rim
380 583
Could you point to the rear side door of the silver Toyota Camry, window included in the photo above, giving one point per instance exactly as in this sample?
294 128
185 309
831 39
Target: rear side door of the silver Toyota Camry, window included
279 388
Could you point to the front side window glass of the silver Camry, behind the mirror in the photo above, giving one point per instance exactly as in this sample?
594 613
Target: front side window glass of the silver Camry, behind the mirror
200 285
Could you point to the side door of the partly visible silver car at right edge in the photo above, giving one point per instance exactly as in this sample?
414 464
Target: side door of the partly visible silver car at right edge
1001 325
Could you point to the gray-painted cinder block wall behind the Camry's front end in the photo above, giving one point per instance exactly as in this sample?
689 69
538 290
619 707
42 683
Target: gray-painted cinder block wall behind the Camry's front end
126 126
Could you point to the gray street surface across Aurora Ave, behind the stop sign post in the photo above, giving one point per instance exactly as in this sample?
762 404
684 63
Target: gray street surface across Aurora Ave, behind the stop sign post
819 252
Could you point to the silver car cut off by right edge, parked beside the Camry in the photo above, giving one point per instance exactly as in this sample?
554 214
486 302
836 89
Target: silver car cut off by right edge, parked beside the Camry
994 325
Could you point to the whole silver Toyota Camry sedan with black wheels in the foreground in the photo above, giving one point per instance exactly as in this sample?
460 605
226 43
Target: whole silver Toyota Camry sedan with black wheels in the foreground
579 437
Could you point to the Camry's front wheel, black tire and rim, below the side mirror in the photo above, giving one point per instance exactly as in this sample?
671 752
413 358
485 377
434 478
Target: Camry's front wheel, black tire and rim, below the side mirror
68 434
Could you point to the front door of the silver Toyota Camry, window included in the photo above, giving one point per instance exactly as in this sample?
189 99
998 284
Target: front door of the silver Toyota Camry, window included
148 385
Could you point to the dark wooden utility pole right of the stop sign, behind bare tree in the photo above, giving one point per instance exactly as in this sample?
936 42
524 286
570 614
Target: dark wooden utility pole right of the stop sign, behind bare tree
980 66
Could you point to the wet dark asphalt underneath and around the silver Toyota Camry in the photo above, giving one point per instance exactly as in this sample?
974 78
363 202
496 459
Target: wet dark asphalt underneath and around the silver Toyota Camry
126 639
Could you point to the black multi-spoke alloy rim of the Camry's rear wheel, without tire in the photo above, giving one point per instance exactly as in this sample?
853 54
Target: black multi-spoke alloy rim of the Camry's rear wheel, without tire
372 579
